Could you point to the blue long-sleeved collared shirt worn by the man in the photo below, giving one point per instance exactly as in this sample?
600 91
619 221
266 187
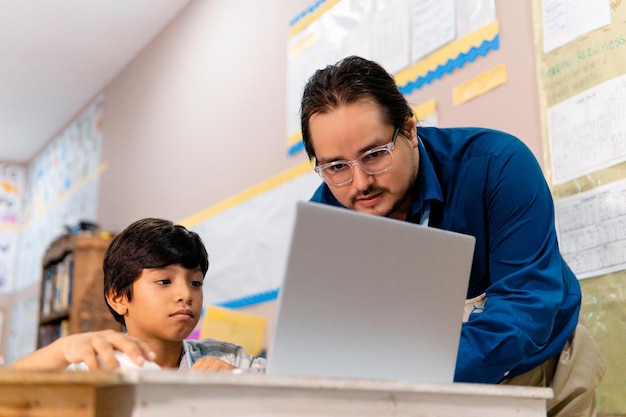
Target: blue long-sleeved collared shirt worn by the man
488 184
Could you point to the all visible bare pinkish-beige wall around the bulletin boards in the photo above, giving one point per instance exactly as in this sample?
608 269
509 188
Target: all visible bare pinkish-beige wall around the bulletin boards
199 114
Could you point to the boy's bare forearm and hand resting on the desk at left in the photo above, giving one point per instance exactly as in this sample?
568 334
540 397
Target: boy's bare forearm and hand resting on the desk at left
95 349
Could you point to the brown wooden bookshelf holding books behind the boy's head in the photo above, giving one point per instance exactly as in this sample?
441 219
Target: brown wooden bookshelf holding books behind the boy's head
71 299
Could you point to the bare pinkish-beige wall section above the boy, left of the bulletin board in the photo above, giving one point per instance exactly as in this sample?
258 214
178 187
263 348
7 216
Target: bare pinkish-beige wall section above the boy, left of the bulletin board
199 114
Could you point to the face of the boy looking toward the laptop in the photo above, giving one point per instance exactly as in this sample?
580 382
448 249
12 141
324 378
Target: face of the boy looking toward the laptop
166 303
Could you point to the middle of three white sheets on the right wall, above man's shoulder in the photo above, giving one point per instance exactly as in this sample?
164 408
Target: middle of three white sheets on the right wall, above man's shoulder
587 132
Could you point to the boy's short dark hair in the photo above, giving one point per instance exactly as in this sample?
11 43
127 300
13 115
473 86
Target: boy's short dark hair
149 243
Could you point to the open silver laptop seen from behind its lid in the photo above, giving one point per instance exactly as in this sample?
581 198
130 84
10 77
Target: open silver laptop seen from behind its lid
366 296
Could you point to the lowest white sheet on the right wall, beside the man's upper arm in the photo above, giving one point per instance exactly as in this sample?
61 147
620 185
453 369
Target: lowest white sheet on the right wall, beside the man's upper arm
592 230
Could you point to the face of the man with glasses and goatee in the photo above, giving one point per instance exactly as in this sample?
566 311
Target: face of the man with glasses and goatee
348 131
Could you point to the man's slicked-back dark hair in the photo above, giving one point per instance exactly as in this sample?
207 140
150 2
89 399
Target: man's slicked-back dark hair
346 82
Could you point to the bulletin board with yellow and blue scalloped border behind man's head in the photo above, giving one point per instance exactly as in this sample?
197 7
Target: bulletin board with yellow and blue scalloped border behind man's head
420 41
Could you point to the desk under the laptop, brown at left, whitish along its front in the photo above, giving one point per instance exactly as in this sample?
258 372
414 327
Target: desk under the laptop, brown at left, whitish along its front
170 393
